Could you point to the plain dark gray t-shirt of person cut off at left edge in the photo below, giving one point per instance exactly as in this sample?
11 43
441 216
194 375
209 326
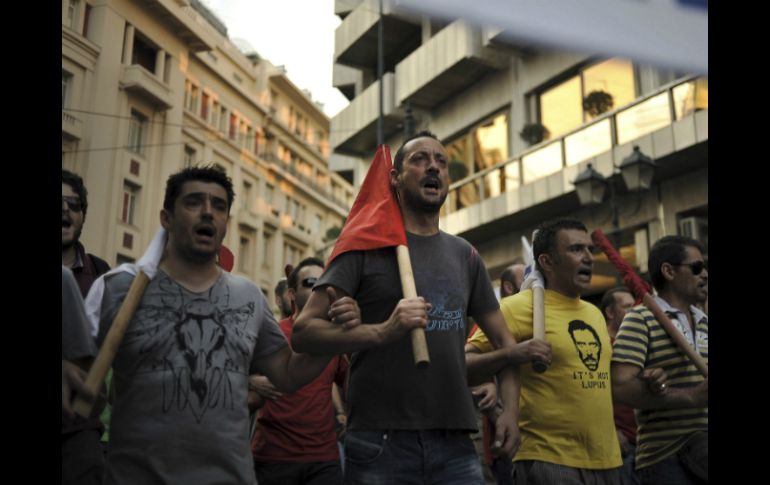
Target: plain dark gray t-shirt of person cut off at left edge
76 340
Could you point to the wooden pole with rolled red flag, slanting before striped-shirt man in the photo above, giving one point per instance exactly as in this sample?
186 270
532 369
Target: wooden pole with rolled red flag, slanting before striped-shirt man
641 290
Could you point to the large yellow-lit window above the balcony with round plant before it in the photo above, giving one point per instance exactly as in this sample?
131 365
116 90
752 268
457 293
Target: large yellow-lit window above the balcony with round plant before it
587 95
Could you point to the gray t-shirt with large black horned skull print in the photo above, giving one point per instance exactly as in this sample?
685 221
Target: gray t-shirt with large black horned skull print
181 380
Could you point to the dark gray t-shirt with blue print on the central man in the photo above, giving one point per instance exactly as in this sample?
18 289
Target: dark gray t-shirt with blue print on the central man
386 391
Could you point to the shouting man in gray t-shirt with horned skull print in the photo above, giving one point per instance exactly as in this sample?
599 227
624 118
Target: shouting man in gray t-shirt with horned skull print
181 372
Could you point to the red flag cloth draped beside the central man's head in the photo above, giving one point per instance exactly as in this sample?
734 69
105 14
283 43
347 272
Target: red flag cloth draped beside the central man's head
375 218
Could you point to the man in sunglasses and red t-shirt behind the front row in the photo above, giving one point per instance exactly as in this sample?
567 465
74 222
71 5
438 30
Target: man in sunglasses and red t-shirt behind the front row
295 440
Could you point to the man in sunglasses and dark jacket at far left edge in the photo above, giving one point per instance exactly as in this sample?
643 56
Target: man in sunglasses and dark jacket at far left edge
85 267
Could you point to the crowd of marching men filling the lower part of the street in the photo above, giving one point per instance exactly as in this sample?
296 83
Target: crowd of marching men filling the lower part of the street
208 387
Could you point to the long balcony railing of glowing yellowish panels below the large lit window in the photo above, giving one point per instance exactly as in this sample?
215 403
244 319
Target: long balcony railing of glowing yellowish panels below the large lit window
645 115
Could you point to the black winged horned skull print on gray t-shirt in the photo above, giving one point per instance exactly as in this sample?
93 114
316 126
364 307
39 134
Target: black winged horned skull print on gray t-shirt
196 341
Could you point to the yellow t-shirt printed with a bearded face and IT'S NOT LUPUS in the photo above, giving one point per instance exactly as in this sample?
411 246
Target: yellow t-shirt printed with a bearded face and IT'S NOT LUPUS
566 412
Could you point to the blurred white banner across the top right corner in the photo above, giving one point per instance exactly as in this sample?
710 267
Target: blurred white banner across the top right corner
665 33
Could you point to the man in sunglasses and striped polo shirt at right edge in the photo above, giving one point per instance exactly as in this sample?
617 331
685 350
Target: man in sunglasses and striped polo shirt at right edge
673 425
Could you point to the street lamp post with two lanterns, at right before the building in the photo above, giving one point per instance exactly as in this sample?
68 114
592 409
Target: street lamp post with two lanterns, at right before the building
636 170
